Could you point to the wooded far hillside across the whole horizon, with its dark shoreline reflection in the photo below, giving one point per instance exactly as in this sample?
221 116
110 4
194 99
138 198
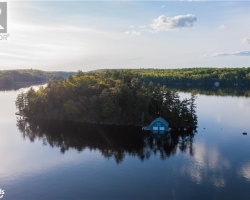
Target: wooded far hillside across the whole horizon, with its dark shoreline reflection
234 81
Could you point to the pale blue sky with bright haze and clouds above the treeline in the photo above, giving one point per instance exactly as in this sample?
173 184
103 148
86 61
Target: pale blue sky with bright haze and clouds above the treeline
88 35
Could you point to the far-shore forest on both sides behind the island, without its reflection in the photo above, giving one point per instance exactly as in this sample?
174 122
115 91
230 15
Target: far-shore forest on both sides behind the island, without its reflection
202 77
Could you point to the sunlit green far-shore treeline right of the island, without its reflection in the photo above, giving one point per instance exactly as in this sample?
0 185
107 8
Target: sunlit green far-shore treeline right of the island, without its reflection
202 77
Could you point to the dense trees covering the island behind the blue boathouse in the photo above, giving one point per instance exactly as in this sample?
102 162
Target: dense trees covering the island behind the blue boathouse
109 97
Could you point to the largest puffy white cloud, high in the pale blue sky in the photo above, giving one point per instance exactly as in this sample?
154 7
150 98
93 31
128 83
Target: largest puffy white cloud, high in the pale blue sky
163 23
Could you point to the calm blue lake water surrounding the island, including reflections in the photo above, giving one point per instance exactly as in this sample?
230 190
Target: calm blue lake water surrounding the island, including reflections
44 161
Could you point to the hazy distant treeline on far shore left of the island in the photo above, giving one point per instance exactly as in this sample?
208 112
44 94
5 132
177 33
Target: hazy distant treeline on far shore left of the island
10 77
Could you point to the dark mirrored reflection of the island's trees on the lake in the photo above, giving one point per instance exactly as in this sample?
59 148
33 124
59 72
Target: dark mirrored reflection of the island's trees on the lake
111 141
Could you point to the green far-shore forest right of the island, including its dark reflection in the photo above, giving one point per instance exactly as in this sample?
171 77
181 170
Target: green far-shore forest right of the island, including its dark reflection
208 81
